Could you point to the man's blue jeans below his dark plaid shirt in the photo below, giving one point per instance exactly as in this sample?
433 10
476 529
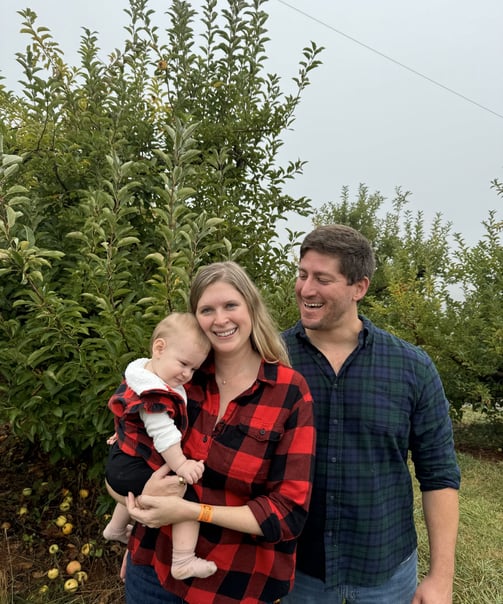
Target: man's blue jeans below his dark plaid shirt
399 589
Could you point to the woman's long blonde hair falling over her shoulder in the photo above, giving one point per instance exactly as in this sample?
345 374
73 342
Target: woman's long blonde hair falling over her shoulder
265 337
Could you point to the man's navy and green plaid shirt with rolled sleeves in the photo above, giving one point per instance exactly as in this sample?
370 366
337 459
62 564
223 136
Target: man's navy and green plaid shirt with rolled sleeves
386 399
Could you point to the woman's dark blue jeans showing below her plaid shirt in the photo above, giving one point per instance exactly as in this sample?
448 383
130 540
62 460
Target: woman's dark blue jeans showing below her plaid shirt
142 585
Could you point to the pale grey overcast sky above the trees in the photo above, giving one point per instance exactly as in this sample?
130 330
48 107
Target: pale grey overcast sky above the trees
365 118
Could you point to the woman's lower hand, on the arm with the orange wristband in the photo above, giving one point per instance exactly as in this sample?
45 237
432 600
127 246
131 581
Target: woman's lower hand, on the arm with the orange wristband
157 511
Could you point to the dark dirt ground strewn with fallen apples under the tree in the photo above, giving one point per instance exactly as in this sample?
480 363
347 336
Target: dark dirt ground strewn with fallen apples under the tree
26 536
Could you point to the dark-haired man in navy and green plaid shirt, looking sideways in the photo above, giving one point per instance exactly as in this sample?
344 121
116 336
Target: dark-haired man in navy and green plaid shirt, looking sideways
376 398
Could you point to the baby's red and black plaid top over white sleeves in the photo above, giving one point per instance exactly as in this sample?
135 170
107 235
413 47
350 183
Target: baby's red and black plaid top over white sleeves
132 436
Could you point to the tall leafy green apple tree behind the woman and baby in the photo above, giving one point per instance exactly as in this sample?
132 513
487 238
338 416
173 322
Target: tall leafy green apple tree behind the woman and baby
118 179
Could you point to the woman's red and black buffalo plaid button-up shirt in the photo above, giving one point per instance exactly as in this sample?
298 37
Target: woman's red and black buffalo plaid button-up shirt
262 454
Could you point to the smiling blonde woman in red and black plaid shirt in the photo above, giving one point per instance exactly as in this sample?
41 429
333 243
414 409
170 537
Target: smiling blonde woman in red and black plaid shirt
251 422
